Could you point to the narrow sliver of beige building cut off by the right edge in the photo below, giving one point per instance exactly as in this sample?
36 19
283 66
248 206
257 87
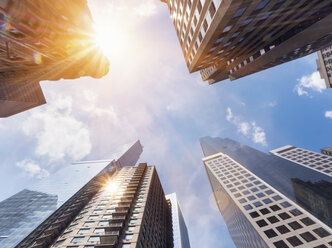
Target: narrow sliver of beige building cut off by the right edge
324 65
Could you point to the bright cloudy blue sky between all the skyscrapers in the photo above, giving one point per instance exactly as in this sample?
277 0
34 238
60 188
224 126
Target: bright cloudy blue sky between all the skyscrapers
149 95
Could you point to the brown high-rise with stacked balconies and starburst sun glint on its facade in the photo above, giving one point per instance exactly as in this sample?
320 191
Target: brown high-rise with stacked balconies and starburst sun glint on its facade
126 208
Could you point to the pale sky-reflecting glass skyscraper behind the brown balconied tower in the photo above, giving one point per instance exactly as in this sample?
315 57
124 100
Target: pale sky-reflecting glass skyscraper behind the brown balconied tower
45 198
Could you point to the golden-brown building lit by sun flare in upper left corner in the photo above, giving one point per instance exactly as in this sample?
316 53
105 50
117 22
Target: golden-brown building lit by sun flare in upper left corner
44 40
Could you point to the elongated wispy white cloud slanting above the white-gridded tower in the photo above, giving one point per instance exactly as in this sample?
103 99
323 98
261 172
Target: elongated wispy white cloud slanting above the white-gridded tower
249 129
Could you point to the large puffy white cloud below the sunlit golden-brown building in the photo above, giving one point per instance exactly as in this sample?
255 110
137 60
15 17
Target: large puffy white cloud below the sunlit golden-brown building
57 132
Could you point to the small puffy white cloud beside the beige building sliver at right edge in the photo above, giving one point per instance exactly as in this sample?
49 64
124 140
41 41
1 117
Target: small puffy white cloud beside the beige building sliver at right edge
310 82
